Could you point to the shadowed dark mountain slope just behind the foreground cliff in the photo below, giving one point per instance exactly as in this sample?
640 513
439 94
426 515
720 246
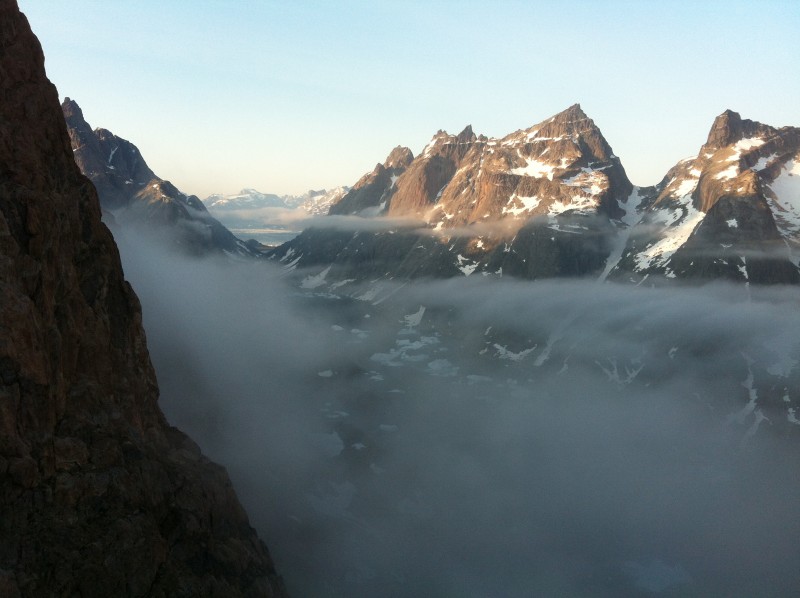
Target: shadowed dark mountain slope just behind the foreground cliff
129 190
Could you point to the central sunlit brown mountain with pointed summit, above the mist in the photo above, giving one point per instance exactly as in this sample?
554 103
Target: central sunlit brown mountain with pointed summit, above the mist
541 202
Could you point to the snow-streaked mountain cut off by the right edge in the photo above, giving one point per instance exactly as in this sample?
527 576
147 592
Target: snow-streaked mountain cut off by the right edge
732 211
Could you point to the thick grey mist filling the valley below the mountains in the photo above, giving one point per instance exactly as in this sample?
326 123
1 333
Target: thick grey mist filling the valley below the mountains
477 437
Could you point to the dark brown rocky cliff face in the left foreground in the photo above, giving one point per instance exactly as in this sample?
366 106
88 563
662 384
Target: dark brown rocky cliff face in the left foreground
100 496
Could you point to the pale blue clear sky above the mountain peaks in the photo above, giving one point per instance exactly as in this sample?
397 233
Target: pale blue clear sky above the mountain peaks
285 97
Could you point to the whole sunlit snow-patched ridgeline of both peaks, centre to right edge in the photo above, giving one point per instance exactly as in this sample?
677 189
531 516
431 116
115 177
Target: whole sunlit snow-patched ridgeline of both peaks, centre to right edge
554 201
